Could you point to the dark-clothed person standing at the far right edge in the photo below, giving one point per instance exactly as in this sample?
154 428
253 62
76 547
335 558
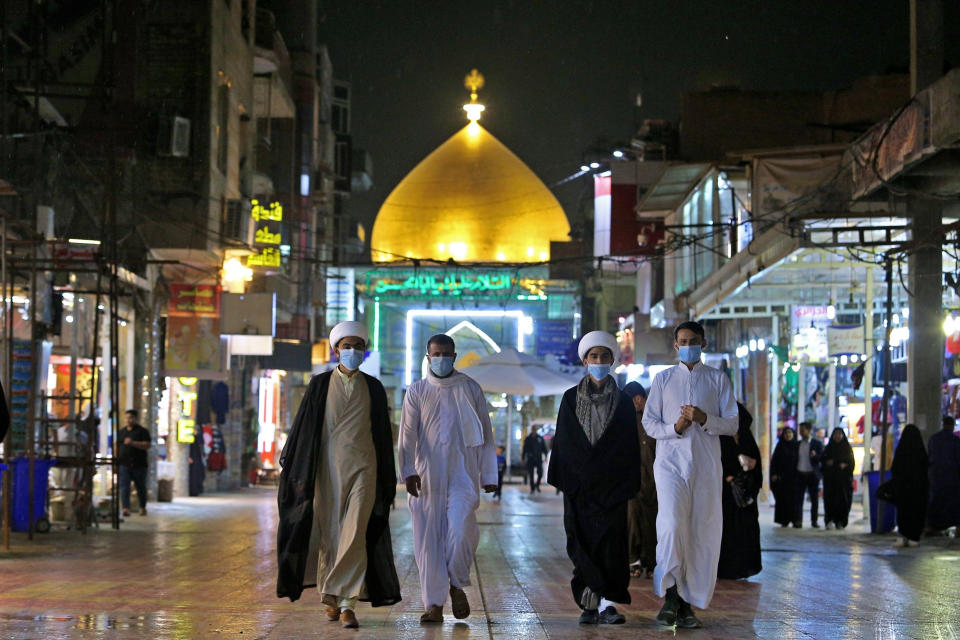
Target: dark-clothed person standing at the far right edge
944 451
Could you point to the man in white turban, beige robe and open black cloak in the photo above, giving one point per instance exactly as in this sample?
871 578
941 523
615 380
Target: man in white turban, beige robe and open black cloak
337 485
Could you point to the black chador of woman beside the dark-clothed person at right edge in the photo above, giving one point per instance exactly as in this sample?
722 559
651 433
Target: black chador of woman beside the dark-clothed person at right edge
911 485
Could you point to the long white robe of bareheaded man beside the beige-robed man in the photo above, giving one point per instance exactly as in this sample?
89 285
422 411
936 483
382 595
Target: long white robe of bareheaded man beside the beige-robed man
431 445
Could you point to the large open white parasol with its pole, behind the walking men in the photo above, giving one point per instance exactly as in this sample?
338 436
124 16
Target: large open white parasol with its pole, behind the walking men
519 374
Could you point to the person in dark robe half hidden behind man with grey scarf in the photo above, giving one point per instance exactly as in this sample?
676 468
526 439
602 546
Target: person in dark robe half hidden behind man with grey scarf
642 507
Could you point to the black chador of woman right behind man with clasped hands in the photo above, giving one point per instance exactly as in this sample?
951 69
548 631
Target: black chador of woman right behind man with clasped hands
740 543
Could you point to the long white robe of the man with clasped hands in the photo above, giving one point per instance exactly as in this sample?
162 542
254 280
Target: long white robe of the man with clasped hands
688 477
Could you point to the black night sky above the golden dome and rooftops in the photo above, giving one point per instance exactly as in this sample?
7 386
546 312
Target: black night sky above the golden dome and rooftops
559 75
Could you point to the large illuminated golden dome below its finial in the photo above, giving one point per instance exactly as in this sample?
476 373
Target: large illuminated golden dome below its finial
471 199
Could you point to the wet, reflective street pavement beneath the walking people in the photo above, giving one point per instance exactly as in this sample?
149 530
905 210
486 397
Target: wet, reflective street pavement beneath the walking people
204 567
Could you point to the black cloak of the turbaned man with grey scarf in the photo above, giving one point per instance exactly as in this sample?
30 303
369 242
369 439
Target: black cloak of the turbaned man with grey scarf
596 482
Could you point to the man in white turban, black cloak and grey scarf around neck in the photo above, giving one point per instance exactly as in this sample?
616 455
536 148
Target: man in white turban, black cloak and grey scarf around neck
594 462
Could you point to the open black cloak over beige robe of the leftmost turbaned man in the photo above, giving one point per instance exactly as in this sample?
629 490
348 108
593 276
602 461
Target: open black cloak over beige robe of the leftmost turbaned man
295 495
